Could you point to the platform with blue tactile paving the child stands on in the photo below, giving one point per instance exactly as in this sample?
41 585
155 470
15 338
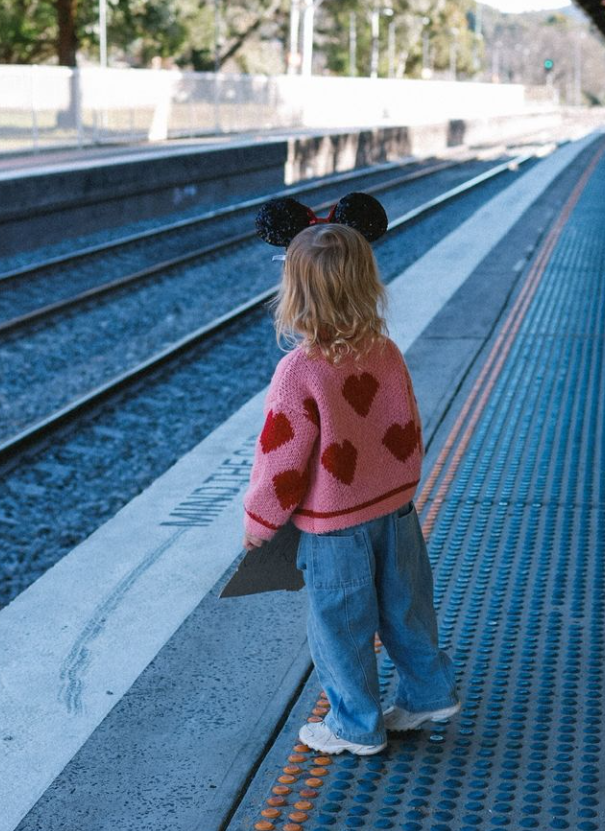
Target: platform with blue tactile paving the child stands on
134 697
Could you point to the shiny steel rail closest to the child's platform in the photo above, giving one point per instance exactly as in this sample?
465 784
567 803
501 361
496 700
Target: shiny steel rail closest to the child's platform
37 432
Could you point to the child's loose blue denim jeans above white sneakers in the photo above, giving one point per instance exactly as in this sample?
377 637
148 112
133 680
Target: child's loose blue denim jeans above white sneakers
373 577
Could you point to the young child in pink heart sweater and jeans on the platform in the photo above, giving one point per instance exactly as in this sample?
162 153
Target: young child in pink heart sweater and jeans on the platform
340 455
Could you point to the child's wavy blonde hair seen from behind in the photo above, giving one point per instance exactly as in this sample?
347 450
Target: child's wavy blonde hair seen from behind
331 297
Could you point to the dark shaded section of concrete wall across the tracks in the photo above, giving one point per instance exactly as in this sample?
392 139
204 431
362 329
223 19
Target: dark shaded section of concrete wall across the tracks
52 204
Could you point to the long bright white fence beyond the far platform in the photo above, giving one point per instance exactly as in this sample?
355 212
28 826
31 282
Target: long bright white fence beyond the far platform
45 106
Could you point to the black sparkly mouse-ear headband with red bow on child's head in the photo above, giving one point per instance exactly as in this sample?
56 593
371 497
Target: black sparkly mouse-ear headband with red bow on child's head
280 220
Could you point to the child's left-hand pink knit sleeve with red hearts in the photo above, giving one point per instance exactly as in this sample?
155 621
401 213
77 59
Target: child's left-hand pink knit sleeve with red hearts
279 476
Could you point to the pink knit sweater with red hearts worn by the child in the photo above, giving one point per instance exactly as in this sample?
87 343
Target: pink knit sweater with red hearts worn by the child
340 445
